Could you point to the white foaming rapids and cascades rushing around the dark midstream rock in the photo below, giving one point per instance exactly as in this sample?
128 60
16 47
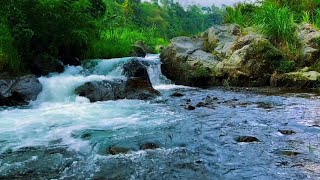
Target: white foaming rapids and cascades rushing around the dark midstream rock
58 112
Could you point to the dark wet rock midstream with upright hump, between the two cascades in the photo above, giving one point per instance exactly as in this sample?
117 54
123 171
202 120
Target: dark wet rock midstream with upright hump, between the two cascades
137 86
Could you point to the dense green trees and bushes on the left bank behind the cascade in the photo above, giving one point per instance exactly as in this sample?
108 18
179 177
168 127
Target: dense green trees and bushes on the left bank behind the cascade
91 28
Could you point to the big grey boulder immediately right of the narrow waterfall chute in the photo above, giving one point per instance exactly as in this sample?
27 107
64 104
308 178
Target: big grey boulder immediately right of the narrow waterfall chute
185 62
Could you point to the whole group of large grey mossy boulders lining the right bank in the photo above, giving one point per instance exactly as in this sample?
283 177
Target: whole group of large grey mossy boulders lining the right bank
225 55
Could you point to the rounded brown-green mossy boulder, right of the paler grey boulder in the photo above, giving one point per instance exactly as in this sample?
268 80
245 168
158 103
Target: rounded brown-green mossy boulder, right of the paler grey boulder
251 64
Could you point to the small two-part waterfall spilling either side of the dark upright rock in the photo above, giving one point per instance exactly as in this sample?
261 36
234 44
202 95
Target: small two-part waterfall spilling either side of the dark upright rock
60 87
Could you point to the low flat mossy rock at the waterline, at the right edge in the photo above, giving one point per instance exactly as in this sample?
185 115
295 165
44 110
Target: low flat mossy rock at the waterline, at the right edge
299 79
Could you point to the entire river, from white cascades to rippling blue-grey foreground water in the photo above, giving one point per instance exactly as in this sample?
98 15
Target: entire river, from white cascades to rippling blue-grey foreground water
63 136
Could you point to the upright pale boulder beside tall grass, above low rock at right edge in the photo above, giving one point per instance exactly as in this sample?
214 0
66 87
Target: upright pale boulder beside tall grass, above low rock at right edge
310 38
